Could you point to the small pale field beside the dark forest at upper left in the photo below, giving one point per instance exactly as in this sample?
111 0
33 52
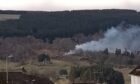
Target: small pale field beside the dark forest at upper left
4 17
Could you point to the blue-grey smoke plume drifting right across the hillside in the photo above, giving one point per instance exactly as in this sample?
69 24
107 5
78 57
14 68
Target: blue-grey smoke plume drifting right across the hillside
120 37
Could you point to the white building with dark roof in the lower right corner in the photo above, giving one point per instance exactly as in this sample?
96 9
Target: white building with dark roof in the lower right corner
135 75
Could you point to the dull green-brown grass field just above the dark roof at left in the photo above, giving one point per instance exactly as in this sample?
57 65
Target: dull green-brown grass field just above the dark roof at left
35 68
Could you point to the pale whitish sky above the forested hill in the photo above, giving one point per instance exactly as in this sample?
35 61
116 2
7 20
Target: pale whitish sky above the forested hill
60 5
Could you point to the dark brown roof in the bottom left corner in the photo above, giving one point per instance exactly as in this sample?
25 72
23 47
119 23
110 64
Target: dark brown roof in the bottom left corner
21 78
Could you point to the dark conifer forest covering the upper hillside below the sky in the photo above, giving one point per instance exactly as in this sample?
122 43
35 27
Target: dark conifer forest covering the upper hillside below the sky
64 23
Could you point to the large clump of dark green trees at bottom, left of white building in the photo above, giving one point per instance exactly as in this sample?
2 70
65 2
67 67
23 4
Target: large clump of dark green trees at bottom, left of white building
96 74
